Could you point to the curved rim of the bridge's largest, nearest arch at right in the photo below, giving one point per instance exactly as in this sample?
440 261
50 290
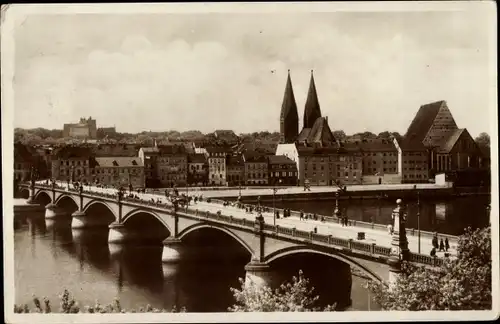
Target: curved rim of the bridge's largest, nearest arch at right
306 249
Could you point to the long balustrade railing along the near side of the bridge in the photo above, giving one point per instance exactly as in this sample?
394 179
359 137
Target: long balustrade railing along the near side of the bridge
350 244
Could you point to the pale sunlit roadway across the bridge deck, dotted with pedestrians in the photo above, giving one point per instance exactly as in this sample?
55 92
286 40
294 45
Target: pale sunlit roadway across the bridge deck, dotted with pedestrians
377 236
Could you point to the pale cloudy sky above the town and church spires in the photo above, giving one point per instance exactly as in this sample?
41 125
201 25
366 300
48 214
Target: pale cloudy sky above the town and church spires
199 71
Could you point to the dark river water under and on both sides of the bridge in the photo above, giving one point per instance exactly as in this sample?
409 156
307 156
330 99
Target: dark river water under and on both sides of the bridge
50 257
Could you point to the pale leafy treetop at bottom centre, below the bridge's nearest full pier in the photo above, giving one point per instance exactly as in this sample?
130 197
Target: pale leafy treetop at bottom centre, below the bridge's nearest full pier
289 297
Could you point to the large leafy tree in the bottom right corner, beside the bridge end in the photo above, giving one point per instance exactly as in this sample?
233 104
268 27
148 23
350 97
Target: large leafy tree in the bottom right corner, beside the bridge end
463 283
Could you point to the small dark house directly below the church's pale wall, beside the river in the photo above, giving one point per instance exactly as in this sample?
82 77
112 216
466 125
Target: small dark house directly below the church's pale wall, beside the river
282 171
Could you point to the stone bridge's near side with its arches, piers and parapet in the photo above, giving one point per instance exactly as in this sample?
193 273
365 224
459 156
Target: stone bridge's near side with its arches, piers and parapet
265 242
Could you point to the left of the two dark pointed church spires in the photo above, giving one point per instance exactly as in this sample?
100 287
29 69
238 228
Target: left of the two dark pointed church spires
289 118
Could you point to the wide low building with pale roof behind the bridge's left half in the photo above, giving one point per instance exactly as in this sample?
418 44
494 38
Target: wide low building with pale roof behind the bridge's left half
119 171
